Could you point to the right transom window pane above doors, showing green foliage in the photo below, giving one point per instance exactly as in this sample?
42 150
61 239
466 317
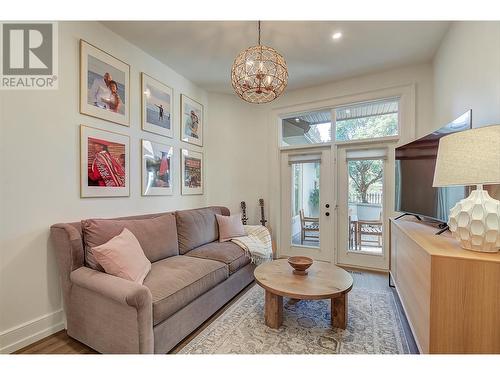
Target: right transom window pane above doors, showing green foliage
367 120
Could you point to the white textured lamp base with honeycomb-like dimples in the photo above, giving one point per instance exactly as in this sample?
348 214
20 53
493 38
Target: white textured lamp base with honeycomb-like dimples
475 222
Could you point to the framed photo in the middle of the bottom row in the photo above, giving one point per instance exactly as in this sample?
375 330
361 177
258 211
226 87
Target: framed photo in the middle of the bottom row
157 168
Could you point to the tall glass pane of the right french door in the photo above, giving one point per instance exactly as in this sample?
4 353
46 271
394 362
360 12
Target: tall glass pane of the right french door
365 193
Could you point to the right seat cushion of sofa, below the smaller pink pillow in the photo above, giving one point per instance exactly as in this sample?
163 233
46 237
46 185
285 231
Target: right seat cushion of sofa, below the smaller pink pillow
226 252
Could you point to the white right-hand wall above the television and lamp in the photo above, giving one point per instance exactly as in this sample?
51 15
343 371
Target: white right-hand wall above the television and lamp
467 73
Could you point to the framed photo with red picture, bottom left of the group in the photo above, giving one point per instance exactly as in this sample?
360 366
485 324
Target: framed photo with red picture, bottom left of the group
104 163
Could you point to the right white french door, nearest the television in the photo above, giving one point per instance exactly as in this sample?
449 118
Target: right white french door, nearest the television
364 182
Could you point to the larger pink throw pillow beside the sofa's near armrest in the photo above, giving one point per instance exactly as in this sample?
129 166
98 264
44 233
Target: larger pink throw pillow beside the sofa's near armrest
122 256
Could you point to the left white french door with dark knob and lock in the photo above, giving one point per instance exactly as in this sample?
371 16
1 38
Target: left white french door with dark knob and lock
307 209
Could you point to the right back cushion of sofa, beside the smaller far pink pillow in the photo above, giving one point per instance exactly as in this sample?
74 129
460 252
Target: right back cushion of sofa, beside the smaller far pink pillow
197 227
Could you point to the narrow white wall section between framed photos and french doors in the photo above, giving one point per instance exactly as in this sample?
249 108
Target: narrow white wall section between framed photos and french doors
237 145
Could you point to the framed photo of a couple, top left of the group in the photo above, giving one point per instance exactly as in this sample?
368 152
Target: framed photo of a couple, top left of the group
104 85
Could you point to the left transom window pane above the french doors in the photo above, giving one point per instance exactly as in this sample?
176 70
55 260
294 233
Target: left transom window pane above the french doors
307 128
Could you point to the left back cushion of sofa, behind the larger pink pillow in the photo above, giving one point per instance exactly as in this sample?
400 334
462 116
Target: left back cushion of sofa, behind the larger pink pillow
157 236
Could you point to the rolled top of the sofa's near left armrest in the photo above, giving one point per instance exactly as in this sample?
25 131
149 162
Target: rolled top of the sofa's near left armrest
118 289
